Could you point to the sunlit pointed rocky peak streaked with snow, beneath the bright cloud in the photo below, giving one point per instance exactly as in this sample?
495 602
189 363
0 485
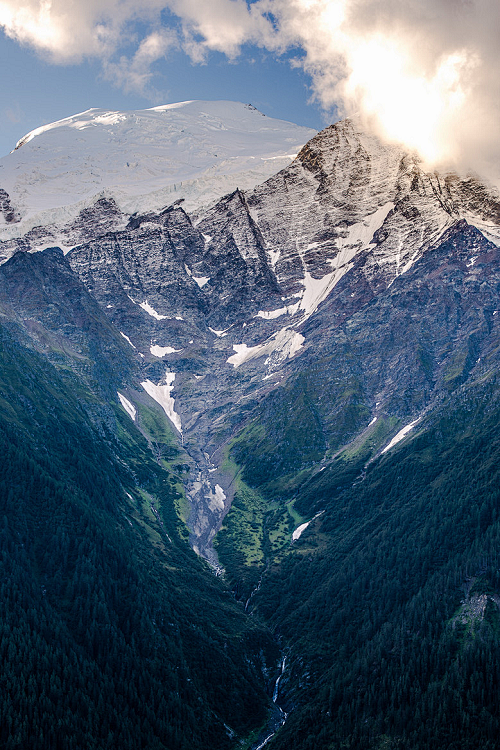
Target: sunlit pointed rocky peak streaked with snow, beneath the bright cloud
347 192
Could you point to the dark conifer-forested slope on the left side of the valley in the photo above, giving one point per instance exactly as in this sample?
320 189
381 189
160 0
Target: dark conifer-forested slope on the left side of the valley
113 633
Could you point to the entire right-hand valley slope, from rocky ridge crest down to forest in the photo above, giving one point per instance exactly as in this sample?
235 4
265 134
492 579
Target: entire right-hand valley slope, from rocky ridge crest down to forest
389 600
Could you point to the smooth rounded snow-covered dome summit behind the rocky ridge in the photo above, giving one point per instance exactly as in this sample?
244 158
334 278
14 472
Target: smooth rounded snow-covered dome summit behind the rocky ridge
144 159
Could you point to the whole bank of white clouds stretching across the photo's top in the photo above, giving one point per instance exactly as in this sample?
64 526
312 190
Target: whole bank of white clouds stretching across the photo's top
424 73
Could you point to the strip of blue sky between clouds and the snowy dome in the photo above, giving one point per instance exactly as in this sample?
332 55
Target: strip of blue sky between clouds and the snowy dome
35 92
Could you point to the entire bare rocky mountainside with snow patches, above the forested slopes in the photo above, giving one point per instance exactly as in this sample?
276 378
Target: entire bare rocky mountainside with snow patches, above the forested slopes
352 282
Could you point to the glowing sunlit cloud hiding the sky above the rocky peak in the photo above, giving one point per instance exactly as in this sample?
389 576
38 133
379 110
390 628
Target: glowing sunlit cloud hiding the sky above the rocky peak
423 73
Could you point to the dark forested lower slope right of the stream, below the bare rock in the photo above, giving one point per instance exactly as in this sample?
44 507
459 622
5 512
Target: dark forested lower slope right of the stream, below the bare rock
392 609
